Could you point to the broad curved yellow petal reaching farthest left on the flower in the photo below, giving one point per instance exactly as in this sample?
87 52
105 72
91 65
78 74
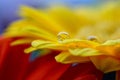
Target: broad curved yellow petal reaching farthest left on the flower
25 29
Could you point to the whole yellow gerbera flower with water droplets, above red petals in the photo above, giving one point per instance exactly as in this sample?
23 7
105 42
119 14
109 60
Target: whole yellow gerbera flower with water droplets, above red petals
80 35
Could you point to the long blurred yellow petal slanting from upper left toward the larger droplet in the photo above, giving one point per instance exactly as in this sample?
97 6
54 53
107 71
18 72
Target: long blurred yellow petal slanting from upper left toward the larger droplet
40 17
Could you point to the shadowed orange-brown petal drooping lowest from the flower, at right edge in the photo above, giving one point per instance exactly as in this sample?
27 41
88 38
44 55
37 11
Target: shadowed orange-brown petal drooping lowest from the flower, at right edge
106 63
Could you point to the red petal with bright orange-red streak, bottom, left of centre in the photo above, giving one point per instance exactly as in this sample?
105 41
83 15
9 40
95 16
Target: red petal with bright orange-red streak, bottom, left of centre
46 68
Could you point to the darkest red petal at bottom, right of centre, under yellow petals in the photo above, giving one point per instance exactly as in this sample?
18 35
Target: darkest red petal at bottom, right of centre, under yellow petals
81 70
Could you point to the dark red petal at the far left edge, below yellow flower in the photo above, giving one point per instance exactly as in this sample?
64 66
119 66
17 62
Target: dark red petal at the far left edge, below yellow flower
13 61
